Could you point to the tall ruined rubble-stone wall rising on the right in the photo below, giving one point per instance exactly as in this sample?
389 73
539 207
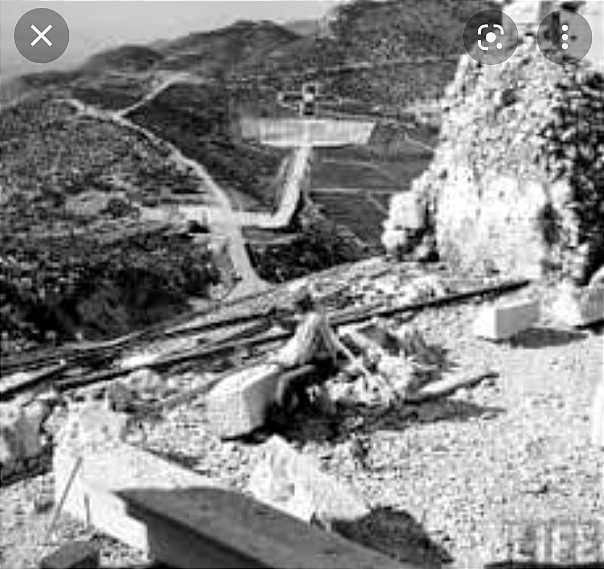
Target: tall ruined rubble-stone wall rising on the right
516 182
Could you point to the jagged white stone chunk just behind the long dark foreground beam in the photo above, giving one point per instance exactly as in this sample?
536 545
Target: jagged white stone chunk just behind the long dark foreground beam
294 483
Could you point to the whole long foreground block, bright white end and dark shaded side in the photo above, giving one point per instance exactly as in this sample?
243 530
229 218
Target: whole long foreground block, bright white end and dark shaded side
185 520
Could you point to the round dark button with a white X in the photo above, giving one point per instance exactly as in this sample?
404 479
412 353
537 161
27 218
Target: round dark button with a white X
41 35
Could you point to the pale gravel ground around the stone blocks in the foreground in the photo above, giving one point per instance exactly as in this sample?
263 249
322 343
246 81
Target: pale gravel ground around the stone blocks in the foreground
442 477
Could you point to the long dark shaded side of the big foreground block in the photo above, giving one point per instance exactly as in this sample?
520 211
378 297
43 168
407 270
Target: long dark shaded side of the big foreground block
214 527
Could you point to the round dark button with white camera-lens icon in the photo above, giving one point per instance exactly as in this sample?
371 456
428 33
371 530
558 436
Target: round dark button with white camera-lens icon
490 37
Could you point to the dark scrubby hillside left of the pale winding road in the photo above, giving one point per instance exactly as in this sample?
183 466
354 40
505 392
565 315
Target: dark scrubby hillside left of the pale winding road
76 259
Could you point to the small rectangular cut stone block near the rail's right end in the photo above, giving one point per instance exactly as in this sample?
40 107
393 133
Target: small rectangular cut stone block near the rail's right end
504 320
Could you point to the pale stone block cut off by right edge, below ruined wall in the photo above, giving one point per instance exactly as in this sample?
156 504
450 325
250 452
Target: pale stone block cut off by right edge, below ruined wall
579 307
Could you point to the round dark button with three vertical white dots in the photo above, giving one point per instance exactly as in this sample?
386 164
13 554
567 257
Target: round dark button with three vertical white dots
564 36
